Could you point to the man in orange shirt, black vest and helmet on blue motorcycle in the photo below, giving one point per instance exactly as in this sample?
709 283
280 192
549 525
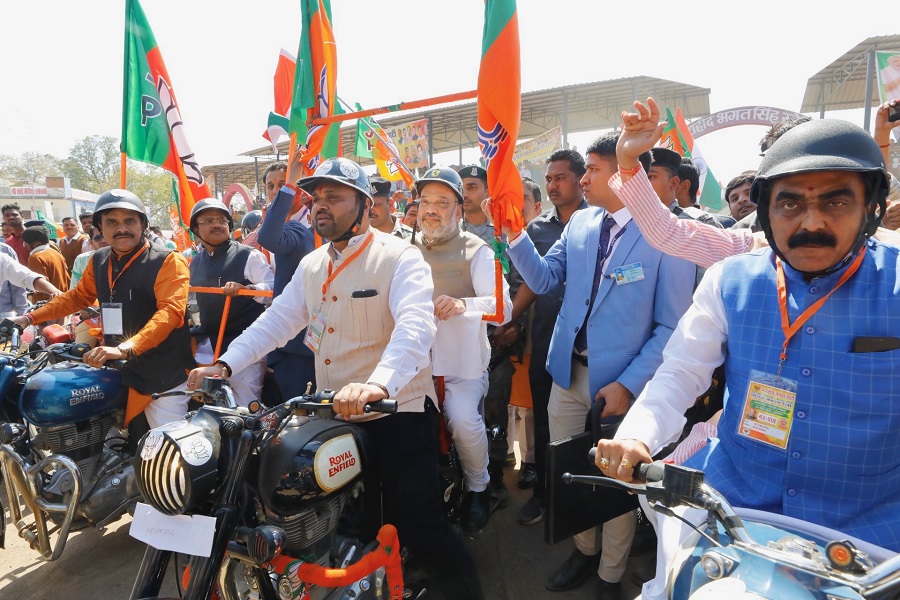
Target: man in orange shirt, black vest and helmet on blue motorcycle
142 289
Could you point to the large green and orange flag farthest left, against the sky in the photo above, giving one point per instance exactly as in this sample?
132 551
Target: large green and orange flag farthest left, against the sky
152 128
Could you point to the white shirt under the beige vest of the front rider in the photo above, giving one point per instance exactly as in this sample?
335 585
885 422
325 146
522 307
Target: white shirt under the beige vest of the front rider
409 301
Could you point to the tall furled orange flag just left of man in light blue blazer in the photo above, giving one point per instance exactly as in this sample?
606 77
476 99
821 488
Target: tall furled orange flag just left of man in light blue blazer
499 108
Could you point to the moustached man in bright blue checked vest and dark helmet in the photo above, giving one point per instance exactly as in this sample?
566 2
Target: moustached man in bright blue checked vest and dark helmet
810 339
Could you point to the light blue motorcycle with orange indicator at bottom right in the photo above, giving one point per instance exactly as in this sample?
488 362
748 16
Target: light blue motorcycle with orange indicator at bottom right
742 553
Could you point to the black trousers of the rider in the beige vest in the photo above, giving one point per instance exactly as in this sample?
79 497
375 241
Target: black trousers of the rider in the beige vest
405 448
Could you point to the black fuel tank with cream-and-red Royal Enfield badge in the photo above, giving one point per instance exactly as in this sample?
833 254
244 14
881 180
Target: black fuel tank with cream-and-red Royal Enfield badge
310 459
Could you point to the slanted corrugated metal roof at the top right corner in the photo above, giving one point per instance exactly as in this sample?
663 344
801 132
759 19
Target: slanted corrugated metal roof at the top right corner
842 84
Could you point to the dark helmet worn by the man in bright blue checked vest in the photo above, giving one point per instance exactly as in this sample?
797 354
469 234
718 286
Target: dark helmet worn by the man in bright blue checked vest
824 145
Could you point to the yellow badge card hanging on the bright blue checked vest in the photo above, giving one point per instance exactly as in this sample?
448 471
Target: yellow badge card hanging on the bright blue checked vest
768 411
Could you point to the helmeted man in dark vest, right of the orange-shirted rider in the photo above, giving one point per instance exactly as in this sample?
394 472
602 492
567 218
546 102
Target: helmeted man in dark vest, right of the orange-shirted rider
225 263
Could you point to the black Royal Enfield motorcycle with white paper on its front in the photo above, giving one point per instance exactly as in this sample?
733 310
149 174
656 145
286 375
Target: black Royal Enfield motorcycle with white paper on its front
276 483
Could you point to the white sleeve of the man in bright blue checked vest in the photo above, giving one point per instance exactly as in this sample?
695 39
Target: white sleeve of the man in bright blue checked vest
694 351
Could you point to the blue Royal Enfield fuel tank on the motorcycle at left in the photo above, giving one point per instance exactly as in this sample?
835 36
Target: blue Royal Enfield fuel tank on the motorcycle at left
69 392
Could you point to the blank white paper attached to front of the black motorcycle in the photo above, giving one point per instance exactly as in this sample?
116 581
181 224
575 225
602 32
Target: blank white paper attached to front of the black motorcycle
186 534
